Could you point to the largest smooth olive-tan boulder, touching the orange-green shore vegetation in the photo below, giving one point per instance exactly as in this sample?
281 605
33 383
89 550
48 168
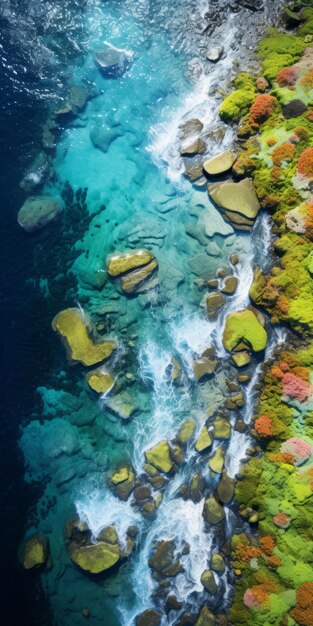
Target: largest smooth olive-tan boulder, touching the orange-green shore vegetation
238 202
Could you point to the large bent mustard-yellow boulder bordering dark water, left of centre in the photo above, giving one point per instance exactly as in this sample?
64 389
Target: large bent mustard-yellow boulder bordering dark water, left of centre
75 328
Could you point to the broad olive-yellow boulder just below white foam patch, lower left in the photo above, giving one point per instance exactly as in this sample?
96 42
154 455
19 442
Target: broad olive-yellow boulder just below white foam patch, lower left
96 557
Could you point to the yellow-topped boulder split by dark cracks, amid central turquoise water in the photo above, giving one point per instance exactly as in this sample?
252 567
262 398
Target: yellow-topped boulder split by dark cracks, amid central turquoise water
135 270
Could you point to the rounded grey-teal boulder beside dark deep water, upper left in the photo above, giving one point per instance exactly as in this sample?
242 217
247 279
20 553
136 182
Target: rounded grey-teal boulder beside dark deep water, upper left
37 212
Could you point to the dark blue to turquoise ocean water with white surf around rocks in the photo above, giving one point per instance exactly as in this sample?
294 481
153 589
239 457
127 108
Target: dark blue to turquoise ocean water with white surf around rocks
123 149
